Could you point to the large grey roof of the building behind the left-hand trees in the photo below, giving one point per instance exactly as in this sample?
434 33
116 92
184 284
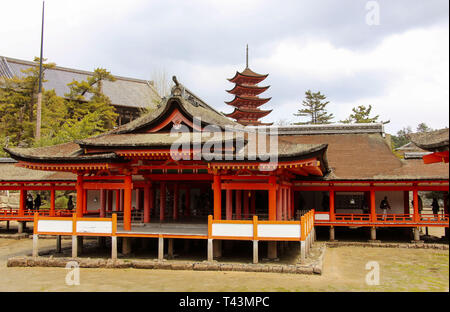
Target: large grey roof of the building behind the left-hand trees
126 92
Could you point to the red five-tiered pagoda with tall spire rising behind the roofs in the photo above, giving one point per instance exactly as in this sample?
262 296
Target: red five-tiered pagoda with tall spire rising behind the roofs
246 101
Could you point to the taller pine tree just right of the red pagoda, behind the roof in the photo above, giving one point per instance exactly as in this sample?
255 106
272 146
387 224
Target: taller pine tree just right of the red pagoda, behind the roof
315 109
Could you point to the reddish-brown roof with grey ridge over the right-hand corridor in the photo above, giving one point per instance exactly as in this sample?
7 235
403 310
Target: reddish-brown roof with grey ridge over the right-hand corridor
360 152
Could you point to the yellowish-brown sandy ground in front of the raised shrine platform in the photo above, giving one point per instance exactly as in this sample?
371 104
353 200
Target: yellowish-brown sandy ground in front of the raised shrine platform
344 270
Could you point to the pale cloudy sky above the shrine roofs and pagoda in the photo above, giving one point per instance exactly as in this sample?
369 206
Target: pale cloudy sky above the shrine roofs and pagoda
393 55
